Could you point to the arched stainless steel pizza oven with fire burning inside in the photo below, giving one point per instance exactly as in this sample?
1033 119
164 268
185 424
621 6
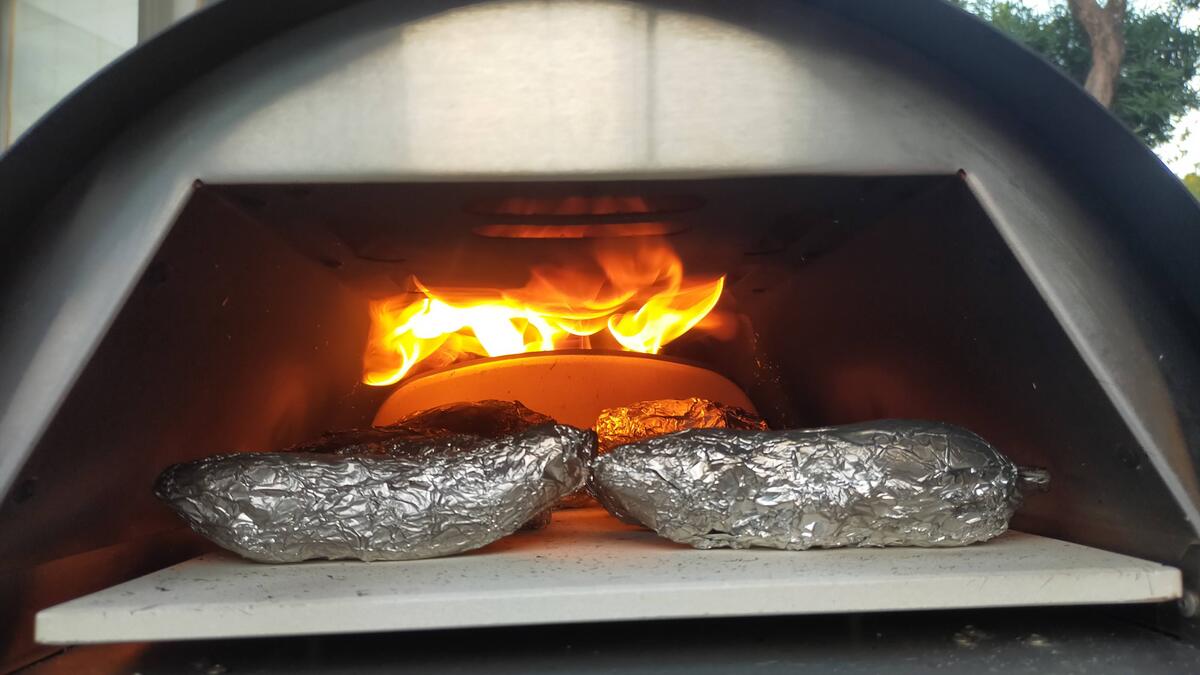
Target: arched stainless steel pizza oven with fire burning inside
851 219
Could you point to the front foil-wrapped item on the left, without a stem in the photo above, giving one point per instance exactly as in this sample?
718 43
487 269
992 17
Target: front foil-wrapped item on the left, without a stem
289 507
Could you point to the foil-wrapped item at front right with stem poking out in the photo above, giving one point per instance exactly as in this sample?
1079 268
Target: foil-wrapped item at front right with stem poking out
891 483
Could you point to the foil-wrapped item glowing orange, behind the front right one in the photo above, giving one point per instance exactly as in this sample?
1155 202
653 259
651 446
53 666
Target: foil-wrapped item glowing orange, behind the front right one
628 425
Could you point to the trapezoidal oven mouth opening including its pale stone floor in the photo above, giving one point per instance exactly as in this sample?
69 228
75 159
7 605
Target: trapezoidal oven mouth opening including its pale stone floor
849 298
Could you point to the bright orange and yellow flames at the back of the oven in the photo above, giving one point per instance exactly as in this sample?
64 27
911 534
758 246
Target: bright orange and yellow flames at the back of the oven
639 300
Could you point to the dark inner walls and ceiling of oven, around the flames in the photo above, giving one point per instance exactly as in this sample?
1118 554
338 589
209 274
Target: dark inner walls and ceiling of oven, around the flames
850 298
